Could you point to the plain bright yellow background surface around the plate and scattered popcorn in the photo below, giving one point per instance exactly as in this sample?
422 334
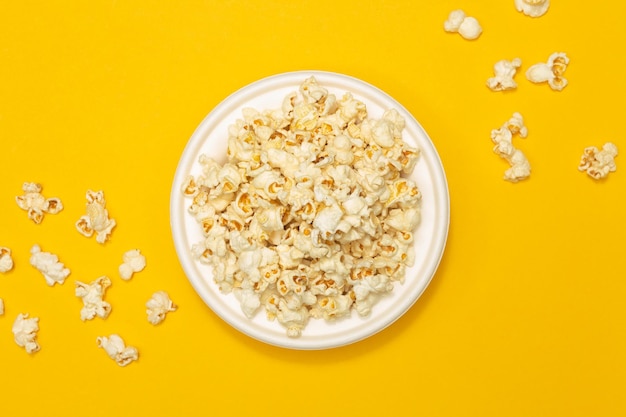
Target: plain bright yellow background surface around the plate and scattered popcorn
525 316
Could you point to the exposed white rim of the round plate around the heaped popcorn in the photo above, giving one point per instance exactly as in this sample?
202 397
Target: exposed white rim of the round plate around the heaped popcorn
211 138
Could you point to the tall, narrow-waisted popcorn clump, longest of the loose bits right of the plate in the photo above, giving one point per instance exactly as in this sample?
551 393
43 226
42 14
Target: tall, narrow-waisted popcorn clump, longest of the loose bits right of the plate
502 137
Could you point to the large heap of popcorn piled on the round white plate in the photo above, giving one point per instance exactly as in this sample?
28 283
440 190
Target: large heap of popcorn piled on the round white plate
296 215
